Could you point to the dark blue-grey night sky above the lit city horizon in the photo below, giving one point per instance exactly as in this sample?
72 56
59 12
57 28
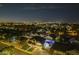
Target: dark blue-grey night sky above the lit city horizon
39 12
